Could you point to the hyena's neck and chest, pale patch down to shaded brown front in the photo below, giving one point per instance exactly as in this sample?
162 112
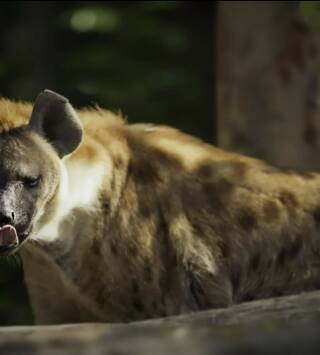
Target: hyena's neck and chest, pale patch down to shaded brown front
75 243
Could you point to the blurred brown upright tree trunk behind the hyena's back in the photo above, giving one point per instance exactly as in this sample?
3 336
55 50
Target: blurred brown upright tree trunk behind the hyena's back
268 72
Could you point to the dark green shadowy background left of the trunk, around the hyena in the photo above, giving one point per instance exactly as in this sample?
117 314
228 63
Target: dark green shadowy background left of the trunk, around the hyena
151 60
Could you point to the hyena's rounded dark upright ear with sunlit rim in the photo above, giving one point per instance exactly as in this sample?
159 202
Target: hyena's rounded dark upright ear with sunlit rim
54 118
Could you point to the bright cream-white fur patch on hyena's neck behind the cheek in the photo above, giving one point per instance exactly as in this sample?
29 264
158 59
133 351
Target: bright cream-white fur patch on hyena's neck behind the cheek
84 179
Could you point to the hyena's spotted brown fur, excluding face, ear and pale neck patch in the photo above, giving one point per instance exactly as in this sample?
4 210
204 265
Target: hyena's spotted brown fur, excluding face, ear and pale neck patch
179 226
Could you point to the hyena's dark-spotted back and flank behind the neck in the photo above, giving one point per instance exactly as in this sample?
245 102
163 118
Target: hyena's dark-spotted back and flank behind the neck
217 228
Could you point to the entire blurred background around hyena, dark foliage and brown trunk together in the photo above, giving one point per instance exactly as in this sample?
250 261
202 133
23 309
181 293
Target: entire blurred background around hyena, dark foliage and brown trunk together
243 75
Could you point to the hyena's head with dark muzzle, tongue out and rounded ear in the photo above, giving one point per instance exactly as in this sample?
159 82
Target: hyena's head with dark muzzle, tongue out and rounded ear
31 169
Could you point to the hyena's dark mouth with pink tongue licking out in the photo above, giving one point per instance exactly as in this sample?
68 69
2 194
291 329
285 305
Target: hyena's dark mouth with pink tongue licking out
9 239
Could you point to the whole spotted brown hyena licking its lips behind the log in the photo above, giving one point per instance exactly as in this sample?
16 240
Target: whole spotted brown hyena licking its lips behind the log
119 222
